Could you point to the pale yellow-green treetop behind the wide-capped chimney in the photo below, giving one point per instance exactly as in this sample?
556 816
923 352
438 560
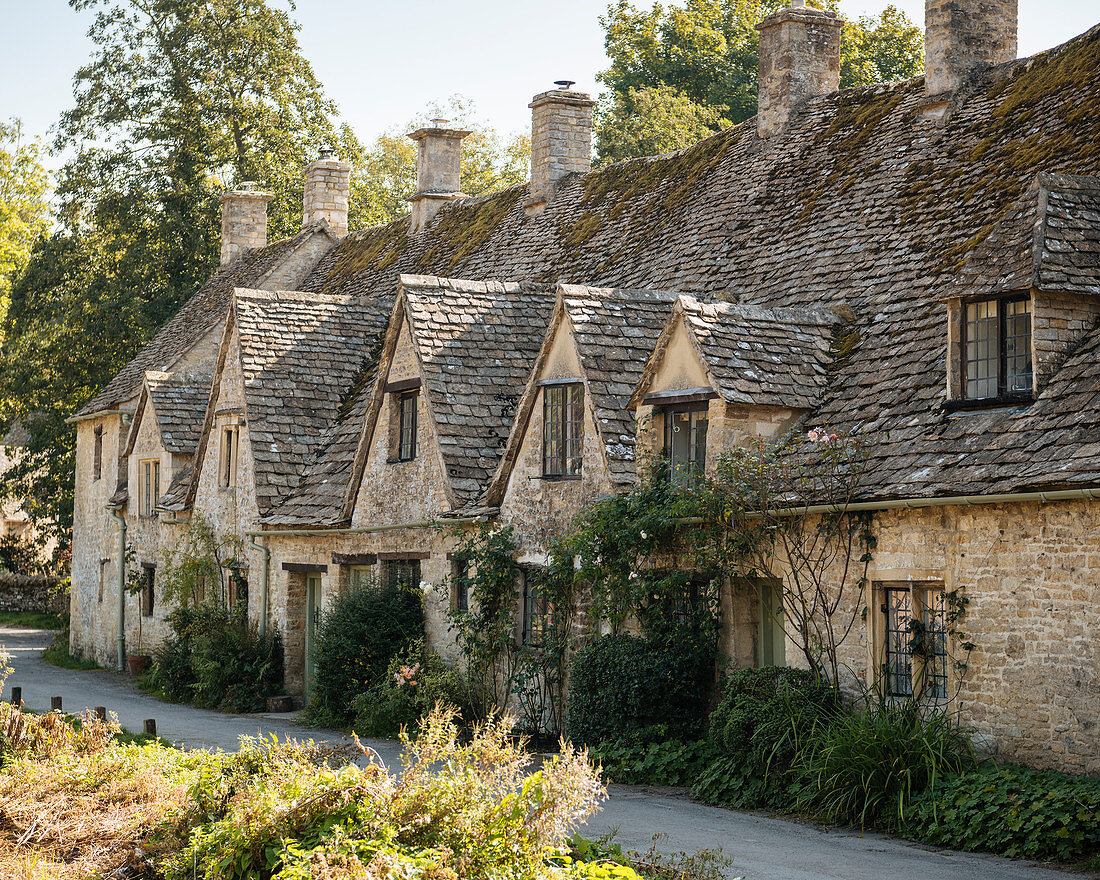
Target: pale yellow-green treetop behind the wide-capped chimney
384 178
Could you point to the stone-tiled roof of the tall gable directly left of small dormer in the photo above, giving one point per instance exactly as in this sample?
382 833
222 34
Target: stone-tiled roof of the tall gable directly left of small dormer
615 332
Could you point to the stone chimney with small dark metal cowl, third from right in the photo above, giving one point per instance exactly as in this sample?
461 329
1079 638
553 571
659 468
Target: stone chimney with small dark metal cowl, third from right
562 140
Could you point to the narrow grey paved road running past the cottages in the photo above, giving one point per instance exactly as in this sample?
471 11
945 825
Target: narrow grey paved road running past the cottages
761 848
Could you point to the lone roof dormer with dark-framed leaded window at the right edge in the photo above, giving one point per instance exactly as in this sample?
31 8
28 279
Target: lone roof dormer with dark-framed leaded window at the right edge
1027 296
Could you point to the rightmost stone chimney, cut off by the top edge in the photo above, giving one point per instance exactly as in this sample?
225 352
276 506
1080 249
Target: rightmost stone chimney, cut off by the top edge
963 36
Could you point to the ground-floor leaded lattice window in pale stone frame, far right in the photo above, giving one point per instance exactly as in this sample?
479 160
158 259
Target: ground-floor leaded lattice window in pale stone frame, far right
916 641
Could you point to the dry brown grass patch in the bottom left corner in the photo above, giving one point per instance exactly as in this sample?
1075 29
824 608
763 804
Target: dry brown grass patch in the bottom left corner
73 805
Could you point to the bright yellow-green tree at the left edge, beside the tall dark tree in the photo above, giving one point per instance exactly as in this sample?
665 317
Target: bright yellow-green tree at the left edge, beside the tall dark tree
25 211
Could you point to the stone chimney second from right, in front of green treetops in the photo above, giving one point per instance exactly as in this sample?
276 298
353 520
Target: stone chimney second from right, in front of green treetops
800 59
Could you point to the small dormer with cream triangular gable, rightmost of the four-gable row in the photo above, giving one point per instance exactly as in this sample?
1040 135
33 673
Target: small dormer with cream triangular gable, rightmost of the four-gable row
722 375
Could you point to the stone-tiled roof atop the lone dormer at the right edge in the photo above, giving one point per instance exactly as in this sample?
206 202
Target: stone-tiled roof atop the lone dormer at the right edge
1050 240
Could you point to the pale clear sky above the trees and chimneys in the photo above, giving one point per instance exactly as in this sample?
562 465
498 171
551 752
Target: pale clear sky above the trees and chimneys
386 61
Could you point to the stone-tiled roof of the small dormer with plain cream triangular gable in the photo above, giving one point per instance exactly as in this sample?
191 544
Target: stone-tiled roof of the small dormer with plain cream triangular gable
763 357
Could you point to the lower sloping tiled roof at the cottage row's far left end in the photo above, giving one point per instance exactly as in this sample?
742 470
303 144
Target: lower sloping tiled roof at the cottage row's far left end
203 312
